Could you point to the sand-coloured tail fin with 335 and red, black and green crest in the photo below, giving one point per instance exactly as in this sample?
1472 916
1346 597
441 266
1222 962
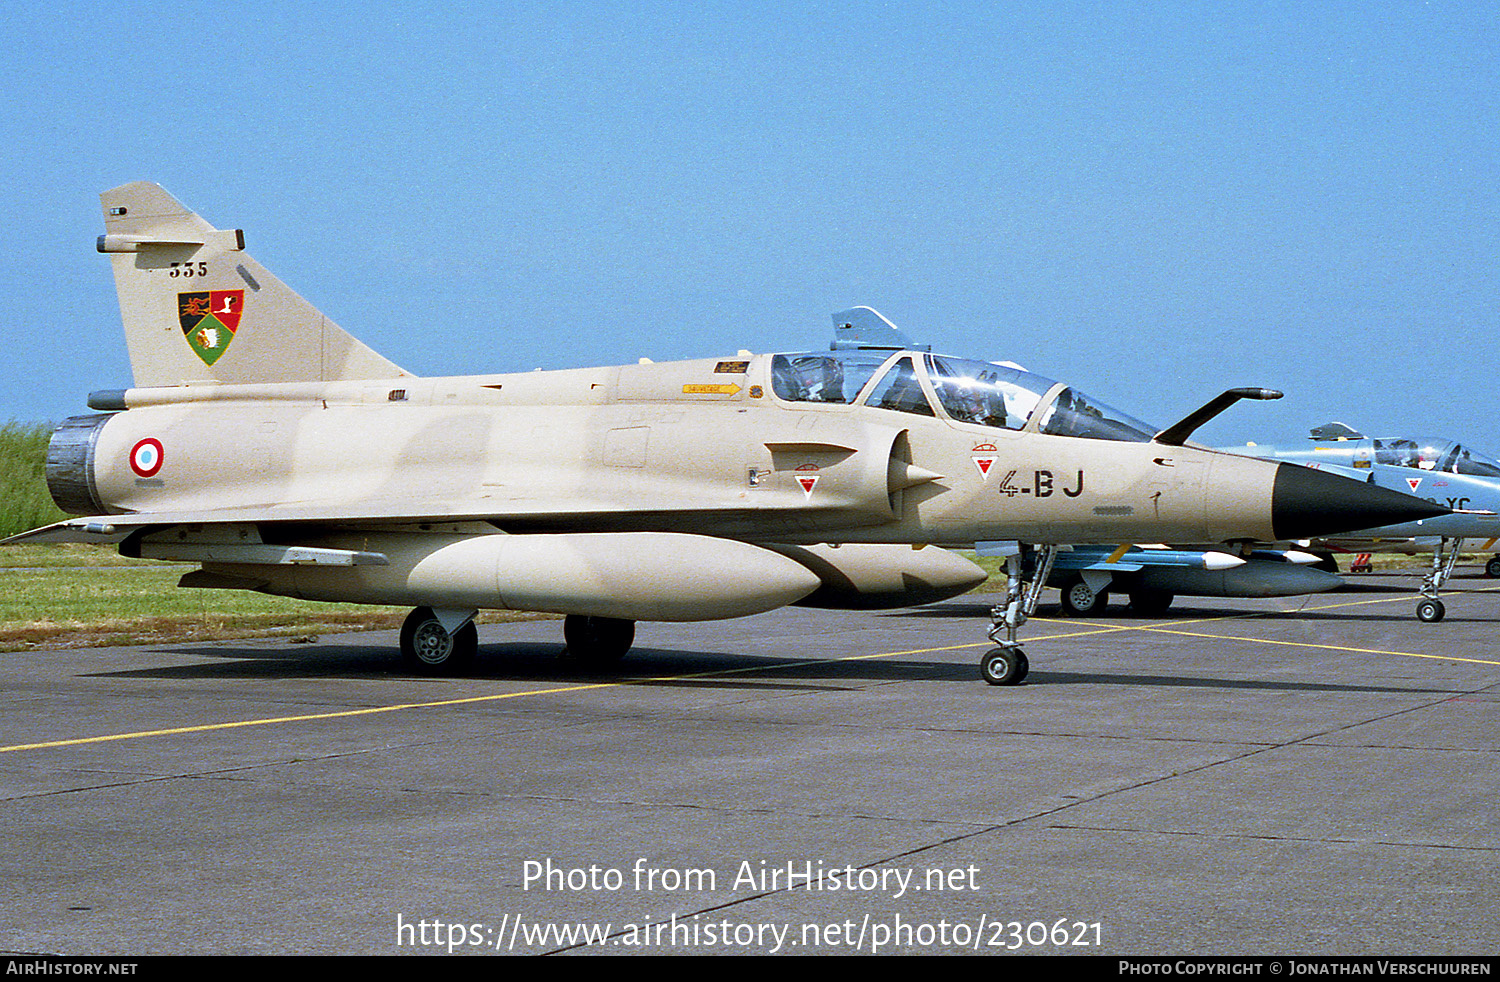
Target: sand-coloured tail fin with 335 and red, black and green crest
199 310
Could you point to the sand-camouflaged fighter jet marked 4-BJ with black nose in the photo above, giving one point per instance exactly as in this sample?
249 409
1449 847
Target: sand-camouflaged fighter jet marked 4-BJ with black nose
284 457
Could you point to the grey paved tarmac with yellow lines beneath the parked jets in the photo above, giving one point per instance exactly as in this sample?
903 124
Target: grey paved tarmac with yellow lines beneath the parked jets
1241 777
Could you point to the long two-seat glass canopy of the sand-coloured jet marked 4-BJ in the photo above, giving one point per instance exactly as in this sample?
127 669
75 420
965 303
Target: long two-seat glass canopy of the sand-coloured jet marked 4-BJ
980 394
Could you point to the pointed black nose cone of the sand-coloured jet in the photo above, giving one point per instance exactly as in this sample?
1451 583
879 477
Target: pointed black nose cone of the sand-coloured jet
1307 503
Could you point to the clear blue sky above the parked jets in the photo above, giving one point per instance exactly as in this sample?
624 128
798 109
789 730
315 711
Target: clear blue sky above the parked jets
1150 200
